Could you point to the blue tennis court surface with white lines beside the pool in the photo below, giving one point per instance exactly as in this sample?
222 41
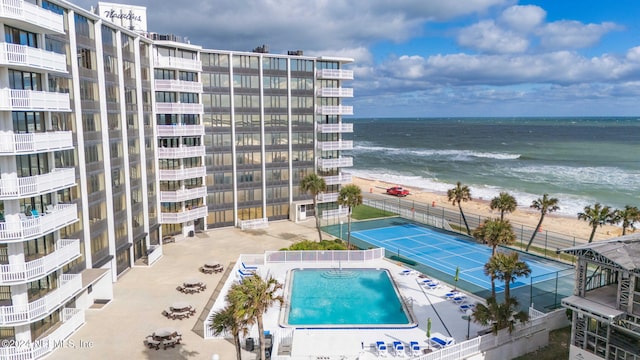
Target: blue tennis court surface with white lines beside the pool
445 252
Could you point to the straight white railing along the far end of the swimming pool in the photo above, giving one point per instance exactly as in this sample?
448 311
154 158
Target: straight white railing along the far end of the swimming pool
272 257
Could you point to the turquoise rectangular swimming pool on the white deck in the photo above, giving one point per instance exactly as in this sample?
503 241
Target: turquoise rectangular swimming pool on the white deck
343 298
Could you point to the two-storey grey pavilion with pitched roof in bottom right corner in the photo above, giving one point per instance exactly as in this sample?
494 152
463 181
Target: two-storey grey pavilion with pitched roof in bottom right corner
605 307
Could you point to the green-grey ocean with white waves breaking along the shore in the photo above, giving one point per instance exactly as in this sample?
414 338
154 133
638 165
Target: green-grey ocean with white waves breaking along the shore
580 161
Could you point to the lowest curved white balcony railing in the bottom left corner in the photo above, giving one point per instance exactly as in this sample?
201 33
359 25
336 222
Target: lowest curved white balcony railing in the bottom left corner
72 319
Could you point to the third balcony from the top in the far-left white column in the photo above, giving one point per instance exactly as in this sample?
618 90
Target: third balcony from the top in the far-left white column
30 100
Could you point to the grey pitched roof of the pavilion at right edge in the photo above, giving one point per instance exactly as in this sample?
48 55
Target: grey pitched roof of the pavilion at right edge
622 251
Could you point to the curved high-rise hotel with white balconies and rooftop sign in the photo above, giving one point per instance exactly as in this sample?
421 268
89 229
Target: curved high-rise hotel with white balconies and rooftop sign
113 138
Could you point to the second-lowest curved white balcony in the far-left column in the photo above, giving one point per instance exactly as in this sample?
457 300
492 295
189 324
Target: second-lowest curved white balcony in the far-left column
70 284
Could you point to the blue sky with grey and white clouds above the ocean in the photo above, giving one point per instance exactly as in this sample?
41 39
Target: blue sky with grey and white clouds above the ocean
440 58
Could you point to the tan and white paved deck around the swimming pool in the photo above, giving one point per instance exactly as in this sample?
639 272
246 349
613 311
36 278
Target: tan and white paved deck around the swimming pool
117 330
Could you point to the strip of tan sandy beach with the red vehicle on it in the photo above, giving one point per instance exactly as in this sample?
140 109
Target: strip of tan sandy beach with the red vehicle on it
523 214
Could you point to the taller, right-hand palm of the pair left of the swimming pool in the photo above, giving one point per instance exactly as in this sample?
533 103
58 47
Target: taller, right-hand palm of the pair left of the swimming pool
252 298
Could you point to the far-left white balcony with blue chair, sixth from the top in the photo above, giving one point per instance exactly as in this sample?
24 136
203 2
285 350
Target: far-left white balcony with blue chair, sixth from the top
27 228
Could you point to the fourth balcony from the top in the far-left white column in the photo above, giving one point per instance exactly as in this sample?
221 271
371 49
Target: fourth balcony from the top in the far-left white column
18 144
